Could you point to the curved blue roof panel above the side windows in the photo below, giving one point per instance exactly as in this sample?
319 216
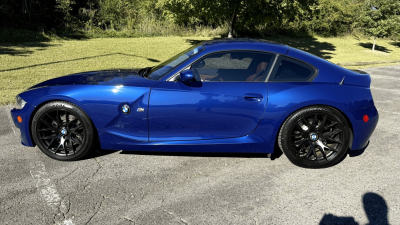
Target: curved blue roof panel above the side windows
245 44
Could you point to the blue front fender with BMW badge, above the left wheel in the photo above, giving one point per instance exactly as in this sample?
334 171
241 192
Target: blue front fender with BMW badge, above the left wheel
101 103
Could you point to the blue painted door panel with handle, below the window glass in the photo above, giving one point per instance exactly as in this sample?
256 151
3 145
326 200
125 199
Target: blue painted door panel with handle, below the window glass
205 110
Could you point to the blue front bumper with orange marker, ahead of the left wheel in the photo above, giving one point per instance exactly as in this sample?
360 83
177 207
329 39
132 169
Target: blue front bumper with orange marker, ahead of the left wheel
24 113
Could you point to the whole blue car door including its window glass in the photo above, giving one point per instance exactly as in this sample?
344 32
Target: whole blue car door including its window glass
227 100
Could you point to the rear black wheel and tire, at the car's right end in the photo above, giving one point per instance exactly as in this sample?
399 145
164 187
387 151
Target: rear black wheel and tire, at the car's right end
314 137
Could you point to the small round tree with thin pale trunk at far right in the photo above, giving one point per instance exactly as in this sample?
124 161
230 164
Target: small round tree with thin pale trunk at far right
378 18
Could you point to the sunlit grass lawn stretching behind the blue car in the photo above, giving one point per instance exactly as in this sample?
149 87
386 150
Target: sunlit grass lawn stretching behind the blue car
25 64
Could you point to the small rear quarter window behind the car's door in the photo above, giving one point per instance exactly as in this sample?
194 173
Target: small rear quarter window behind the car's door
288 70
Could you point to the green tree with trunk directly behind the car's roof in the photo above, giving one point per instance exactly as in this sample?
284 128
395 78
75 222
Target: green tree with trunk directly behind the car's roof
235 13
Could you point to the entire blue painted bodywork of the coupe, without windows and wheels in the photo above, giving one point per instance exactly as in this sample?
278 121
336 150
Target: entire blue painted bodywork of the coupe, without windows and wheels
204 116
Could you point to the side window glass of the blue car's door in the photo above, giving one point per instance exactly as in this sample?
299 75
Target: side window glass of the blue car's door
233 66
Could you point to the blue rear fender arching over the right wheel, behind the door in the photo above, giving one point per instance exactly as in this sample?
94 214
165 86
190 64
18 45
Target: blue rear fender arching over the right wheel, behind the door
287 98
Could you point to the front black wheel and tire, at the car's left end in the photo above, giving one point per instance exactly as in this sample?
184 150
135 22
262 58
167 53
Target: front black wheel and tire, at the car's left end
63 131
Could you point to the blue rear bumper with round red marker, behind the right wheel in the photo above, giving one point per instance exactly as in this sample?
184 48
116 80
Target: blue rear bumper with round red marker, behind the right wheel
362 131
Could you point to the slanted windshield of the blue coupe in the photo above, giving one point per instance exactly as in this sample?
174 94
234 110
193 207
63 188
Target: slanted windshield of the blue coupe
163 68
